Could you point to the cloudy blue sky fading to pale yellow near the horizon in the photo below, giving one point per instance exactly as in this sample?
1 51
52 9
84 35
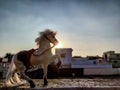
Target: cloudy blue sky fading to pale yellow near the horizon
89 27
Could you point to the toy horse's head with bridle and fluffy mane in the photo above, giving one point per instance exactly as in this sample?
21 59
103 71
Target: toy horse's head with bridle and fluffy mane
49 35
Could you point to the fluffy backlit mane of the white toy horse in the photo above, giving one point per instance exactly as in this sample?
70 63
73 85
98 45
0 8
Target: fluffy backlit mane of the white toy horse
41 35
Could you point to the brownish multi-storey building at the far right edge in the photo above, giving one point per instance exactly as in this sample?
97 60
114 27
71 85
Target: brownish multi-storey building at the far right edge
113 58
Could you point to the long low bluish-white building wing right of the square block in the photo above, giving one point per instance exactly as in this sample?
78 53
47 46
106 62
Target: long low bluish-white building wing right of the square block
86 63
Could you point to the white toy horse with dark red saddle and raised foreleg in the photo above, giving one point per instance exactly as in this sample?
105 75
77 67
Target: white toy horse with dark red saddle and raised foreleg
42 56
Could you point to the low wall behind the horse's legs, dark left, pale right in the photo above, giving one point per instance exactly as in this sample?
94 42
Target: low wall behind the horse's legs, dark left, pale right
76 72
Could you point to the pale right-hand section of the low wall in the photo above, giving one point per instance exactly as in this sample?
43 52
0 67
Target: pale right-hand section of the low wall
102 71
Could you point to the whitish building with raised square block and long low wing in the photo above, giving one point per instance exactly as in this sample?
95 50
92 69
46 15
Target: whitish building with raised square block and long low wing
80 62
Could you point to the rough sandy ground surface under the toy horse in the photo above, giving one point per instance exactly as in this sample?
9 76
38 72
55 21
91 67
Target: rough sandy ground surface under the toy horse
76 82
